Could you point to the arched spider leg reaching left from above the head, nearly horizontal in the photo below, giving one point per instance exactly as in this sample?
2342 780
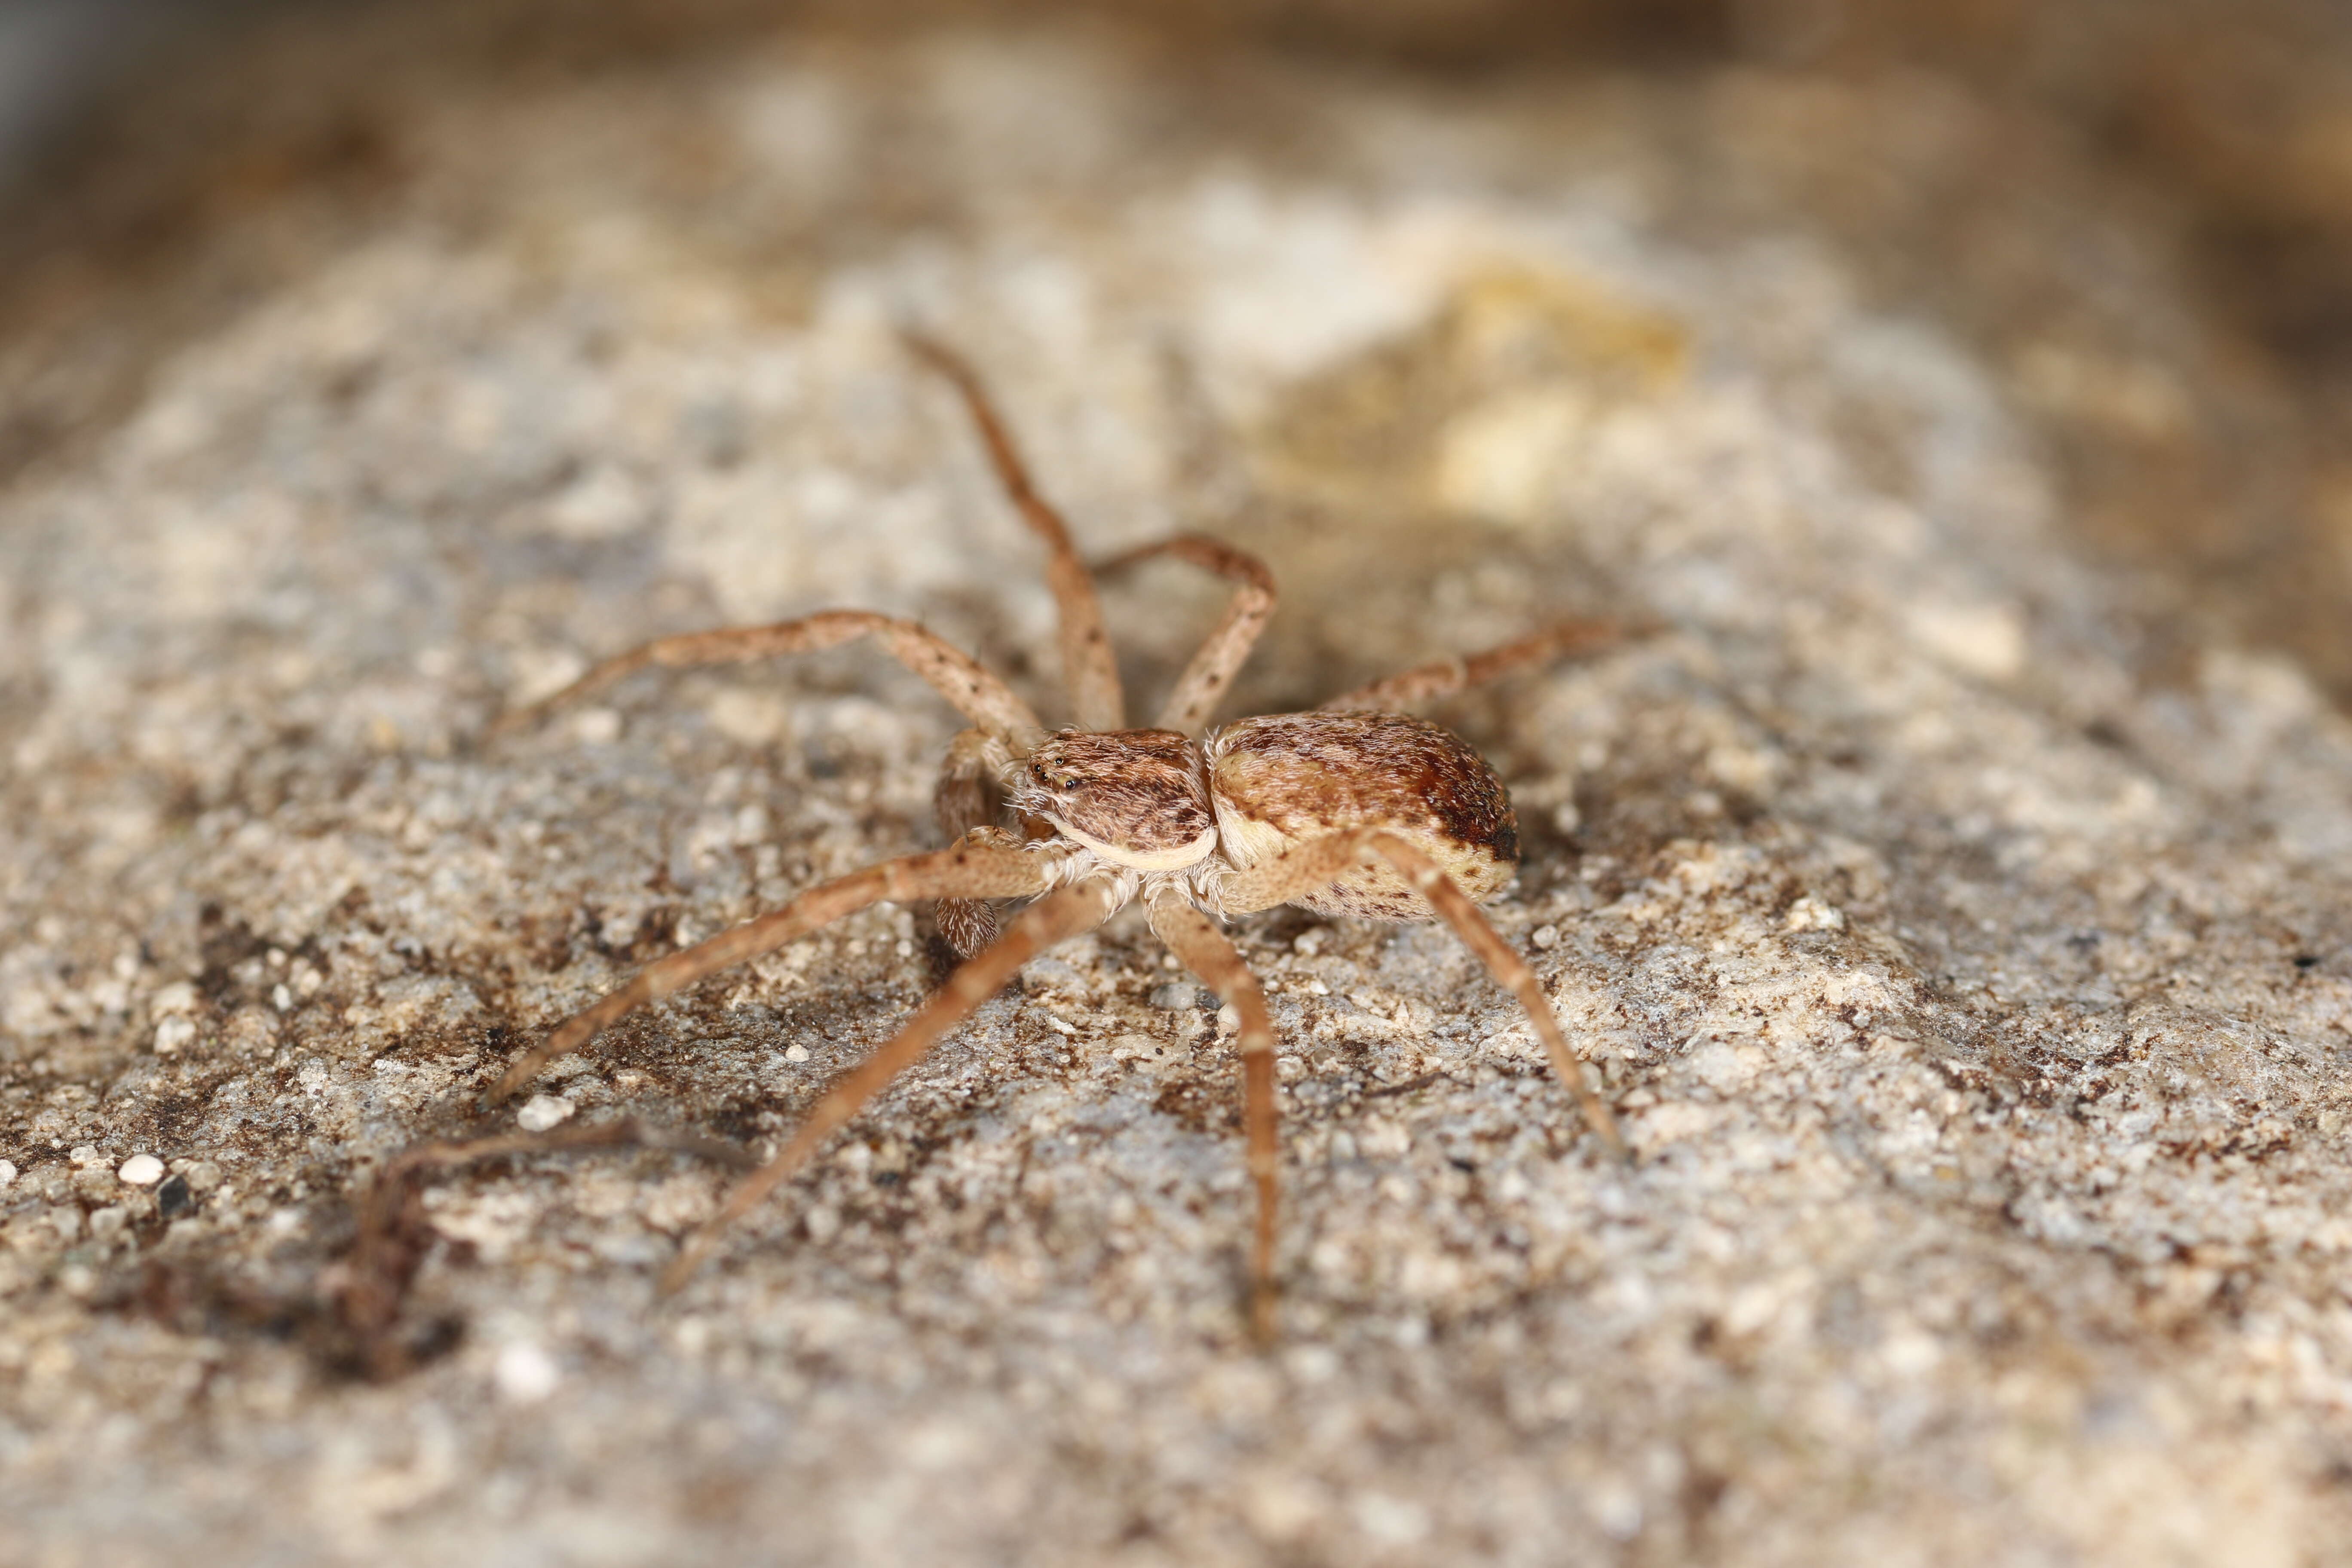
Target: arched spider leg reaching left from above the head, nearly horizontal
956 676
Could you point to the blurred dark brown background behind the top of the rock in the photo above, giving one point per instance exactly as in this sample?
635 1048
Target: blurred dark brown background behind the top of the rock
2212 457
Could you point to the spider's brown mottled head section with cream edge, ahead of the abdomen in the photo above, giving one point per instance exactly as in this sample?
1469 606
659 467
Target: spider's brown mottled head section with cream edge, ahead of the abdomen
1130 796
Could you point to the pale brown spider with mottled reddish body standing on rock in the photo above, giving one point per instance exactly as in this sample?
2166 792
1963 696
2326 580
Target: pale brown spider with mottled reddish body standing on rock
1351 810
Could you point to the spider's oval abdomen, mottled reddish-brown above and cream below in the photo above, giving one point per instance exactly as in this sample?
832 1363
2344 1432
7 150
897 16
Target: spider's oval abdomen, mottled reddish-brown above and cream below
1295 777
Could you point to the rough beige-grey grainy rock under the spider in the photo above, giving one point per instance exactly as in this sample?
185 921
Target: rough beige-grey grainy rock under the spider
1965 949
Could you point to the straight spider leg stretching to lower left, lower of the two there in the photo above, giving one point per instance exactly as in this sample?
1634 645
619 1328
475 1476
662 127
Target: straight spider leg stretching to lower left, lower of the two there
1045 923
